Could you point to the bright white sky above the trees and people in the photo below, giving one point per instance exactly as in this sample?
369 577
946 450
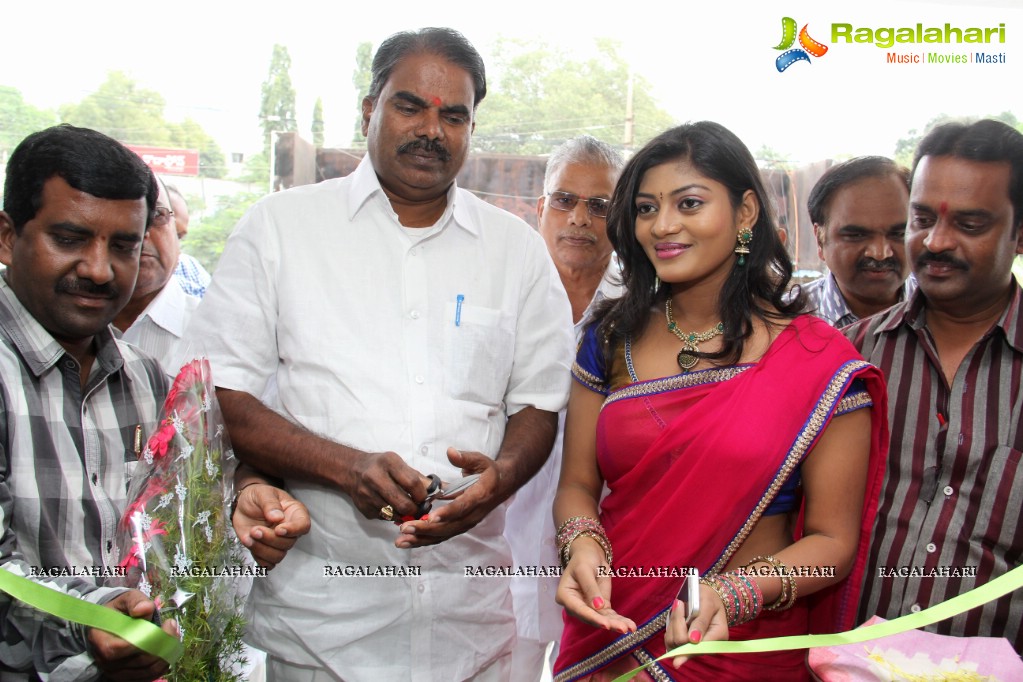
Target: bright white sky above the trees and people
716 62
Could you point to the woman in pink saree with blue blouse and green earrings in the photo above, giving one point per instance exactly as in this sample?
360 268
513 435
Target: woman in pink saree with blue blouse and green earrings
734 435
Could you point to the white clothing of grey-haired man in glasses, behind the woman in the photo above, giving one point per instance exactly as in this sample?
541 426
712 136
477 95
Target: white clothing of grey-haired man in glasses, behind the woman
530 525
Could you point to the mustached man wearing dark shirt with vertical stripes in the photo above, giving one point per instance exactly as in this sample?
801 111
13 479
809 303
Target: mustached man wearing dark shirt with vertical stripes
952 510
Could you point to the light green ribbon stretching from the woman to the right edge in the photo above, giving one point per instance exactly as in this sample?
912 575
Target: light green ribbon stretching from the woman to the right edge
980 596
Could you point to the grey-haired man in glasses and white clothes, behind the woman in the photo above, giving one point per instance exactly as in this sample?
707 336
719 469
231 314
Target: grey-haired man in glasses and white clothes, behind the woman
577 188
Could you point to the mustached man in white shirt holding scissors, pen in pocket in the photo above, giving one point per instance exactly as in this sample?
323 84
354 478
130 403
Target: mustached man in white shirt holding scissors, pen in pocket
412 330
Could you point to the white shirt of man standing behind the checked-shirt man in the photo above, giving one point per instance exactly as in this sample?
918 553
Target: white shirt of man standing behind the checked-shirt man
160 329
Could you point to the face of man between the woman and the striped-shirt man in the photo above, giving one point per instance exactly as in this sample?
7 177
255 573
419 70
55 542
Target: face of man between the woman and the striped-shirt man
864 242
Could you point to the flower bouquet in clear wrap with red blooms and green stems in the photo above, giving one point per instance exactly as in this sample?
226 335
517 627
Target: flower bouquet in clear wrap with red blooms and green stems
176 539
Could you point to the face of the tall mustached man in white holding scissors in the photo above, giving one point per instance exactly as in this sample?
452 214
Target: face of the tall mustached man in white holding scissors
419 128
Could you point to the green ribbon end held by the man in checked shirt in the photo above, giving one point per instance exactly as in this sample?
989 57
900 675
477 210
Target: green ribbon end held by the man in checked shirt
142 633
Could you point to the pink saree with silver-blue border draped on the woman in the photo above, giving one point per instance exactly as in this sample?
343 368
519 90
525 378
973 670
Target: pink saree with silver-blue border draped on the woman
692 463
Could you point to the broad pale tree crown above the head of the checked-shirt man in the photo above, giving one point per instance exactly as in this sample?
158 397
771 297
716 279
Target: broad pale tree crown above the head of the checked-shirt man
134 115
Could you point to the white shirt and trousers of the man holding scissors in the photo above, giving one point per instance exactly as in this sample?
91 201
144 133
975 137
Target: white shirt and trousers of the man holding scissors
321 288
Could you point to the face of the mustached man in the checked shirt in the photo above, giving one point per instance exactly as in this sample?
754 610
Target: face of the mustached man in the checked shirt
75 263
